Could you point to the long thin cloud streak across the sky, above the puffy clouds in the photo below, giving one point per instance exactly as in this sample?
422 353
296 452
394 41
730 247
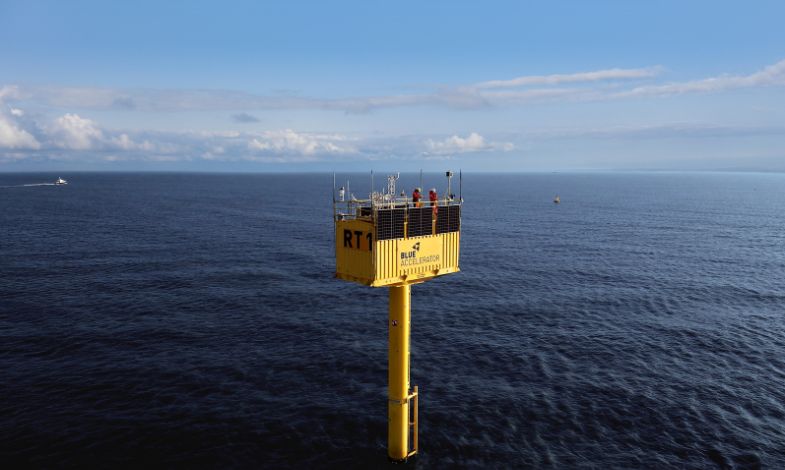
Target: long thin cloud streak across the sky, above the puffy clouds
591 85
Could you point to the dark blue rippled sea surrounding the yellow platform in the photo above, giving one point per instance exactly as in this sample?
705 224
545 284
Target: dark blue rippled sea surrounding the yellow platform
193 321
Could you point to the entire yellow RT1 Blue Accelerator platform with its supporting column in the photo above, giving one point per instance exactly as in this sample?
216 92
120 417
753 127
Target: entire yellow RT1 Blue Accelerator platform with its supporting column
390 240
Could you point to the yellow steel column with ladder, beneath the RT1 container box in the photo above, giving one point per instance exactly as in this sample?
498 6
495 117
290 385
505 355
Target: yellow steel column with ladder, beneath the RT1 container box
398 373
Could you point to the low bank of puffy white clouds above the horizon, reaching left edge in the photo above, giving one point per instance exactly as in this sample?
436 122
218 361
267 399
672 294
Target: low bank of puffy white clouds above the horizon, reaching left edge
71 136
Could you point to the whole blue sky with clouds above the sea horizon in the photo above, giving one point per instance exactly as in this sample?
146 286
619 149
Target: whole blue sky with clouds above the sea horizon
311 86
